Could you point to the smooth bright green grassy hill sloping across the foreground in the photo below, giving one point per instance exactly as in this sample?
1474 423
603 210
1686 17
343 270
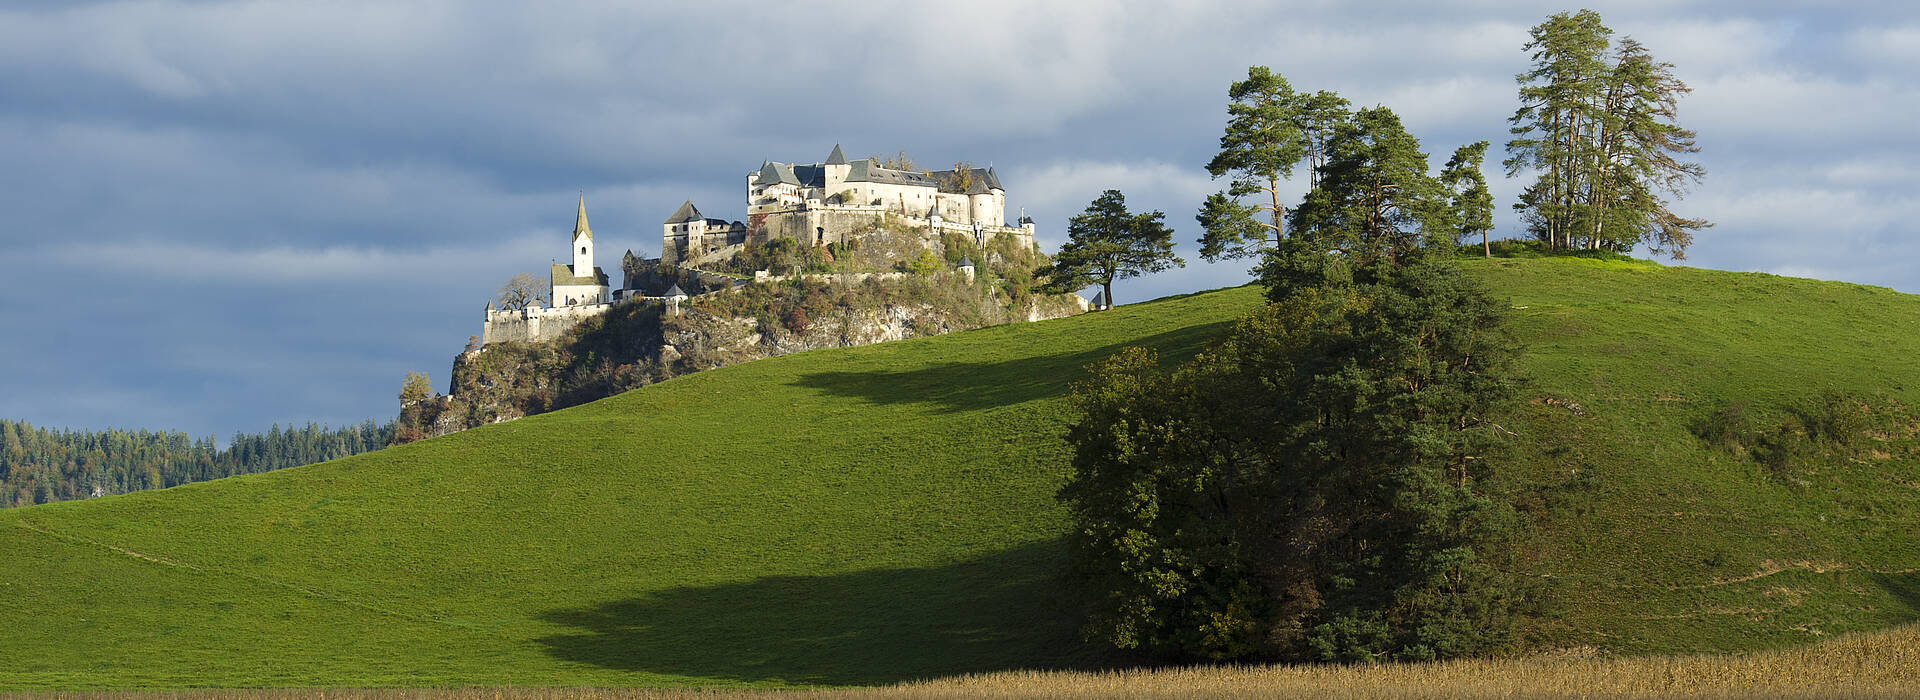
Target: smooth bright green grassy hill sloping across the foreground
886 513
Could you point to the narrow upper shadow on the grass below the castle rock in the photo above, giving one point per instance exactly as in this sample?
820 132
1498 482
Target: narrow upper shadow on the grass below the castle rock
972 386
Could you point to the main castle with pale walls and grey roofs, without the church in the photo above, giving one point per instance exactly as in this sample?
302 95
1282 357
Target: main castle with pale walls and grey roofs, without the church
821 204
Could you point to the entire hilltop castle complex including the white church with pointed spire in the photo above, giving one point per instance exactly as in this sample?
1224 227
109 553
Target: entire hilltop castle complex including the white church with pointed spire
815 204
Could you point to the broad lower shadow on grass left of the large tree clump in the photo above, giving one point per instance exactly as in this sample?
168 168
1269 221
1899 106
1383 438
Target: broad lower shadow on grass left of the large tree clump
997 613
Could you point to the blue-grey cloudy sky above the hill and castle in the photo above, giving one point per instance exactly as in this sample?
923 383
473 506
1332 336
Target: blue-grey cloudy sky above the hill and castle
228 216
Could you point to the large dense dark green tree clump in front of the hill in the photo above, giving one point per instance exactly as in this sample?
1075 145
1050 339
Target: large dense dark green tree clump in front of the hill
1322 484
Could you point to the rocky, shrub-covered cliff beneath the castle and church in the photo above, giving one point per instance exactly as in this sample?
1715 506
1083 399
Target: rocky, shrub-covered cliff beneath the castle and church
638 344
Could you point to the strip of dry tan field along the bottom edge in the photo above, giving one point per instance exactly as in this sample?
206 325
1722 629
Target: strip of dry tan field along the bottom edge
1858 666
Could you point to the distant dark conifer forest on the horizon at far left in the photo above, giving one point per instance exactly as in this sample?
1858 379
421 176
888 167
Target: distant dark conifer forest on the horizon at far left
41 465
